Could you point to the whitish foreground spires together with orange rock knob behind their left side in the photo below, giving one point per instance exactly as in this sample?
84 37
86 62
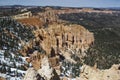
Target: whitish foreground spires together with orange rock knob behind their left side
41 69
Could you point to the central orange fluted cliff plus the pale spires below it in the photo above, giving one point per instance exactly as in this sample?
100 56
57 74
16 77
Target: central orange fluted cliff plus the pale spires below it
59 41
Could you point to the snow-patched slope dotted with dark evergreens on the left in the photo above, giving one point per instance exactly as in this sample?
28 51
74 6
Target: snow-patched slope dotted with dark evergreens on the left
12 34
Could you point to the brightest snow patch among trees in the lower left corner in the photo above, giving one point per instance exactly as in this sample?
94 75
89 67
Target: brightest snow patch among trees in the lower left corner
9 68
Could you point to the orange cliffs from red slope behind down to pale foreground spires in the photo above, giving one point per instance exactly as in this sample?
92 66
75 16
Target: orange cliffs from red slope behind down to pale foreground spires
56 40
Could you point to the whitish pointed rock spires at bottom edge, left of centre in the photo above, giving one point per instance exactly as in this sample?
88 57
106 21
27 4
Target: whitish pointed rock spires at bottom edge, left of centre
45 71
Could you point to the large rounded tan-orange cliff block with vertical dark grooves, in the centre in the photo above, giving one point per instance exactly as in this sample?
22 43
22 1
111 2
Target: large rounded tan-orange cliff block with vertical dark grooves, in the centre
58 38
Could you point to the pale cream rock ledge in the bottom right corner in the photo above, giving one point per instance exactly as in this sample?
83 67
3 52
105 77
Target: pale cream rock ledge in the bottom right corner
91 73
